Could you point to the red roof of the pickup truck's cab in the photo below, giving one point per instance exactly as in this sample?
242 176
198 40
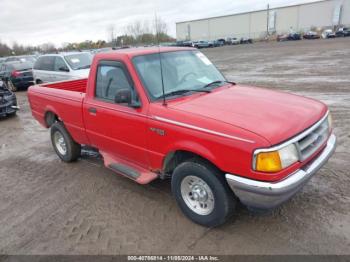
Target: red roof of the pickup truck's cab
132 52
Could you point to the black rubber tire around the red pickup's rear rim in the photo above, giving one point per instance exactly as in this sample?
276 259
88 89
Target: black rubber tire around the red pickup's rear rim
73 149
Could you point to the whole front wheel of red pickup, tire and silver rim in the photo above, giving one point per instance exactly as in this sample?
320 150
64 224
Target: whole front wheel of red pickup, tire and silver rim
202 193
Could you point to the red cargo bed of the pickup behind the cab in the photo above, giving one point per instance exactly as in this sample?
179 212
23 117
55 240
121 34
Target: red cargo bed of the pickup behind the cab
63 99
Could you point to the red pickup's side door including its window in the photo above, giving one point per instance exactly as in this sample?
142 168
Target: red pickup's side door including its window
115 128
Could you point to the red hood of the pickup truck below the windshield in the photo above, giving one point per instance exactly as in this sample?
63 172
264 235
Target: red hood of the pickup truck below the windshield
274 115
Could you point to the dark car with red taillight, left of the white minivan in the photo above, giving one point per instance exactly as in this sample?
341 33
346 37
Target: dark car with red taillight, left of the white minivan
17 75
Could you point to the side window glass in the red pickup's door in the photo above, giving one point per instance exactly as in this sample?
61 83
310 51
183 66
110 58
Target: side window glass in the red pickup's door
110 79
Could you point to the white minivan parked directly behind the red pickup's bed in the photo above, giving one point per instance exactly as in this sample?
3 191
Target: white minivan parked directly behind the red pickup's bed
60 67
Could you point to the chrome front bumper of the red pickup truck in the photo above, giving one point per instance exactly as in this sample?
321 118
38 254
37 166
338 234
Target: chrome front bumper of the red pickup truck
268 195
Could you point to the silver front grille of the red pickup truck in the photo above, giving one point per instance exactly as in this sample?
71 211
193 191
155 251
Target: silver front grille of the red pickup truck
313 140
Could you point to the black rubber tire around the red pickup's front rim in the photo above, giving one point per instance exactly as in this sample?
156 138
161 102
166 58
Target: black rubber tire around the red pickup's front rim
224 199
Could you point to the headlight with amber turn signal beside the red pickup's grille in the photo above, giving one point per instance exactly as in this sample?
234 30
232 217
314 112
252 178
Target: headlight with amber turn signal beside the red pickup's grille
275 161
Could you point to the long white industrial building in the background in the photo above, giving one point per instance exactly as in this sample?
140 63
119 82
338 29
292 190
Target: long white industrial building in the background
256 24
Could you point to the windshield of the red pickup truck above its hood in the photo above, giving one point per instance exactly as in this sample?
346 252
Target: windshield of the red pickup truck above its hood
182 70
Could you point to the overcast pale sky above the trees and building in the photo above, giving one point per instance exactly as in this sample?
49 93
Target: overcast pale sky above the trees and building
40 21
